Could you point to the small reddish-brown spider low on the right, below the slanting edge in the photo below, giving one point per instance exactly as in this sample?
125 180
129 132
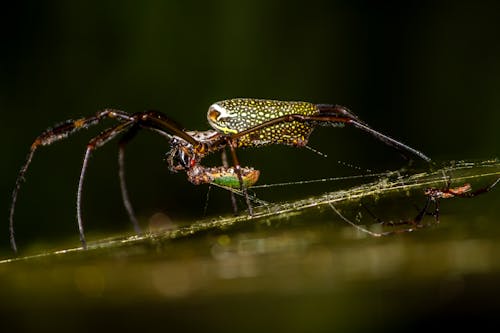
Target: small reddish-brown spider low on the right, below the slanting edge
433 196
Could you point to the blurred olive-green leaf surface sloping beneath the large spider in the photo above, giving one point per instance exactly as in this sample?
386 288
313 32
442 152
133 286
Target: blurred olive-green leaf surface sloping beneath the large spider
293 267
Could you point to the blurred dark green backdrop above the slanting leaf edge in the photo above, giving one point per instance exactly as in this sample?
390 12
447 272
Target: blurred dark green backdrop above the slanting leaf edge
424 72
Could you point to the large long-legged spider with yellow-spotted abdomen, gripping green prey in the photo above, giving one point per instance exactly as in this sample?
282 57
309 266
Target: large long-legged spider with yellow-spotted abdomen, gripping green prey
236 123
